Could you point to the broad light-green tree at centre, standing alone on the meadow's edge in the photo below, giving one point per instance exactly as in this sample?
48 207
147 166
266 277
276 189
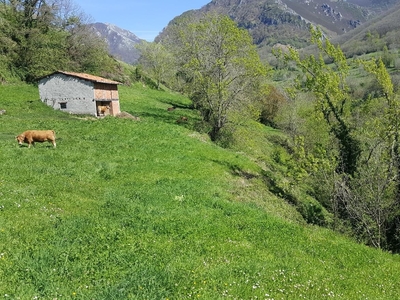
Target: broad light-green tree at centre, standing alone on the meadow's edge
219 66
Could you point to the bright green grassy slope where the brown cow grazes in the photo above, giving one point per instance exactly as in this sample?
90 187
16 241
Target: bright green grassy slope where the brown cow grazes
149 209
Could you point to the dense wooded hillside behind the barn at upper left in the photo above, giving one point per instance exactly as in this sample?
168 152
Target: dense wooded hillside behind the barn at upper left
37 38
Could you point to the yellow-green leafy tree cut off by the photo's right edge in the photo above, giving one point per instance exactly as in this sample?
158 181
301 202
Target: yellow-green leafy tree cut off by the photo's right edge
387 136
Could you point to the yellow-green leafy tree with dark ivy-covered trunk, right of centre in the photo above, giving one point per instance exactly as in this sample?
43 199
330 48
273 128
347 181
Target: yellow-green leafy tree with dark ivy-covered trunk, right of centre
327 83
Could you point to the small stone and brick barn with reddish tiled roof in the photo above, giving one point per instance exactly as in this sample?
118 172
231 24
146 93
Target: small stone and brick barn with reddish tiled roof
80 93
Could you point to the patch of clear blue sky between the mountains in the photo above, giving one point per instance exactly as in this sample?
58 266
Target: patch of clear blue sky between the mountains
144 18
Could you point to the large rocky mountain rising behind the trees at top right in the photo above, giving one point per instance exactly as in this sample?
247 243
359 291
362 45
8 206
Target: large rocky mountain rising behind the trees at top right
286 21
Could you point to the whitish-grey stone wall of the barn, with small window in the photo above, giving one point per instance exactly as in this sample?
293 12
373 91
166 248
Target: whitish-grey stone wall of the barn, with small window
68 93
